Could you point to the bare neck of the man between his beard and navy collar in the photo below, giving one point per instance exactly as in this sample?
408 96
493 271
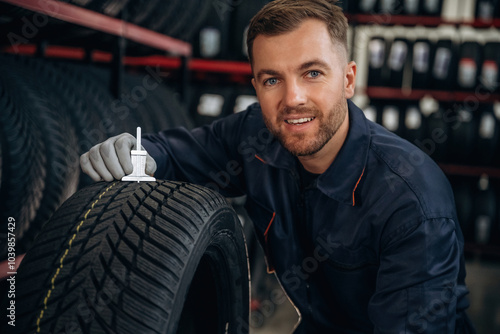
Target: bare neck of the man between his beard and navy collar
319 162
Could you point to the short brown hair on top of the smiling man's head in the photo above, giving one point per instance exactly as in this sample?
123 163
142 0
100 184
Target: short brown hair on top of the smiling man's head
282 16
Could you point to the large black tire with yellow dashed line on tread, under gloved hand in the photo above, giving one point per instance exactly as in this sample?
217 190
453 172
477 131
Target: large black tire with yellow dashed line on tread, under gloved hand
127 257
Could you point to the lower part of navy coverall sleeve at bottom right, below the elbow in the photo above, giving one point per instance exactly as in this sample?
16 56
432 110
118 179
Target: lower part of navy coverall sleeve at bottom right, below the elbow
416 289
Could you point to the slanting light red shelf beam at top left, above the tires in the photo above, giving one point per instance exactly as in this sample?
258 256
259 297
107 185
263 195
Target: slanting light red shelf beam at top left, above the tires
93 20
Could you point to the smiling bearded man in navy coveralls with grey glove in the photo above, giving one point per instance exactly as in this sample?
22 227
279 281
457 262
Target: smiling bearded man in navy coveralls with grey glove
358 224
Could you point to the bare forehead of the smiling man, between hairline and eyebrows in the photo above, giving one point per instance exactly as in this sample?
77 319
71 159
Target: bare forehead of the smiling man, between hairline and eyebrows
310 40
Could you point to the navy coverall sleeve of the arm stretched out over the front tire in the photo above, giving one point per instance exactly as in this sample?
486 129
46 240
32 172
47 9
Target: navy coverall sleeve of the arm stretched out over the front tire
206 155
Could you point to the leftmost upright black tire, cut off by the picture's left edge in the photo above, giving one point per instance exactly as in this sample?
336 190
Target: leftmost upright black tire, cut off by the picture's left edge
23 166
